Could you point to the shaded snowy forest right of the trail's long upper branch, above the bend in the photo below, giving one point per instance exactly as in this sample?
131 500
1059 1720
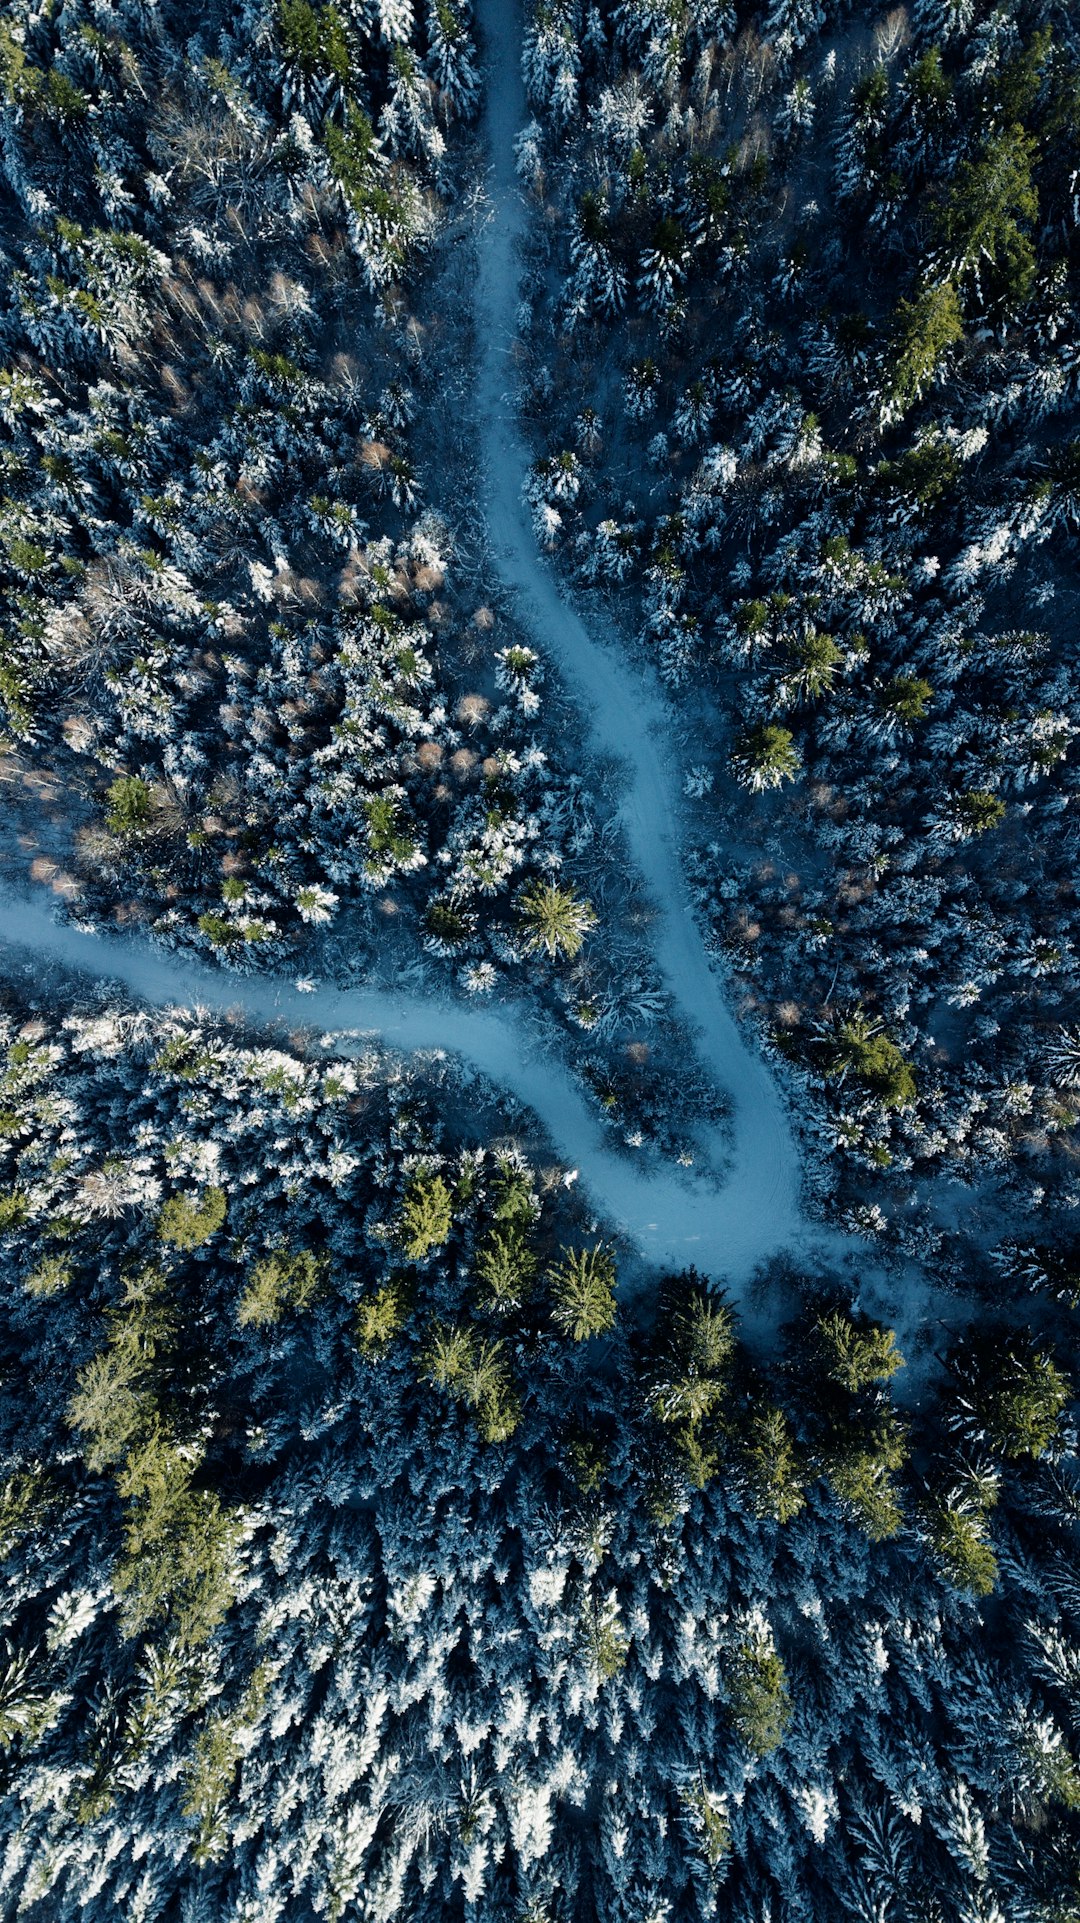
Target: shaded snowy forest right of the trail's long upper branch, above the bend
804 345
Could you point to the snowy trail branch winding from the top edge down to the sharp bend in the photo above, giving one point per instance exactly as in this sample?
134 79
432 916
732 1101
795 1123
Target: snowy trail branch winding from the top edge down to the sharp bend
629 718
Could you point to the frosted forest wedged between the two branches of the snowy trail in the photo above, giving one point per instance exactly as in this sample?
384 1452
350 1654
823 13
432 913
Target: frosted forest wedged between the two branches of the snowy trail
230 618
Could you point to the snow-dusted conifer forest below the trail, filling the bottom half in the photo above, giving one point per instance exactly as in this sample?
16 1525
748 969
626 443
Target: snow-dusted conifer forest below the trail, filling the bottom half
358 1549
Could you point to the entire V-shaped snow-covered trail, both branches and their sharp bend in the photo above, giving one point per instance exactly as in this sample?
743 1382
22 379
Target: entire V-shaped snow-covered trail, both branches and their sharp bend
674 1218
